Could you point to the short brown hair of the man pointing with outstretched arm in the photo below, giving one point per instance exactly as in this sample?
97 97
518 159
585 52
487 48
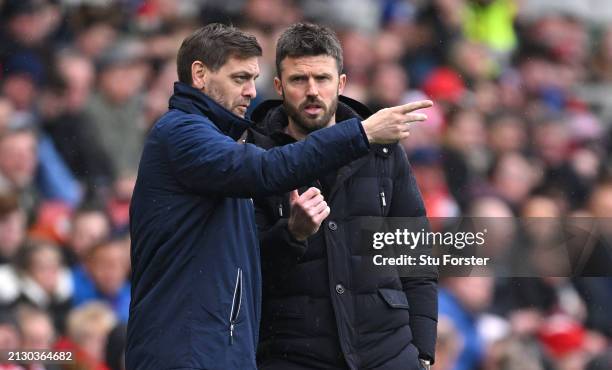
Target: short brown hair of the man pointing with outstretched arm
213 45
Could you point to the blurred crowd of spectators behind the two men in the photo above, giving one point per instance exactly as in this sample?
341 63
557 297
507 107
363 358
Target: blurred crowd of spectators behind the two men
521 127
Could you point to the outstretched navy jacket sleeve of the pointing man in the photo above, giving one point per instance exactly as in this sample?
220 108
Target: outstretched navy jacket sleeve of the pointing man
206 161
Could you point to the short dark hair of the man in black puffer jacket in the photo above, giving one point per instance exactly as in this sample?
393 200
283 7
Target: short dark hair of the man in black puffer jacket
307 39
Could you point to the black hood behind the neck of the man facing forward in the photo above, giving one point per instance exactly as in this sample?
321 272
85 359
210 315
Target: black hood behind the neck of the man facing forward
271 117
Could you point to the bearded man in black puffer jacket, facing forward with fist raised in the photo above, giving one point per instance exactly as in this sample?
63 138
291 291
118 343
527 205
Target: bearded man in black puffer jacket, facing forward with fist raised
320 309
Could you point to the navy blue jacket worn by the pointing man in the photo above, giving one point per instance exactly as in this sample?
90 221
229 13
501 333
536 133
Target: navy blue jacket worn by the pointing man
196 282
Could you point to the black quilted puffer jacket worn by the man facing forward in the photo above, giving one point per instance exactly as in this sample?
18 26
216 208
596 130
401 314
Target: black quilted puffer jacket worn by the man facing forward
320 308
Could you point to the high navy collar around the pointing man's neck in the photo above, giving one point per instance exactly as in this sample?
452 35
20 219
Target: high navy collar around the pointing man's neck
193 101
